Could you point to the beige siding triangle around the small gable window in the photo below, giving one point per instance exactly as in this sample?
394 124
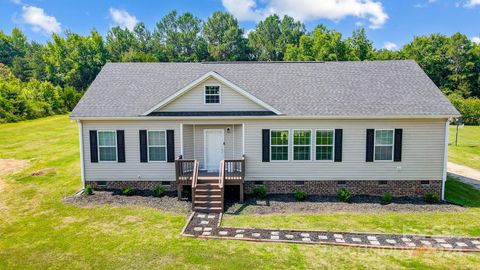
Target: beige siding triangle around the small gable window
194 100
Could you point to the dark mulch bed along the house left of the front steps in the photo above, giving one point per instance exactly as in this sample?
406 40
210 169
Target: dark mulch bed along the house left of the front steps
168 203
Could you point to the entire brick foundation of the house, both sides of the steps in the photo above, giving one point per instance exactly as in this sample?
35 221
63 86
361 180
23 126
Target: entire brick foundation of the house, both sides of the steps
359 187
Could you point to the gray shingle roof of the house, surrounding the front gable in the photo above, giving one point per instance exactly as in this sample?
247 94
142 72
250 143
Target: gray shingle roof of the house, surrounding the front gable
374 88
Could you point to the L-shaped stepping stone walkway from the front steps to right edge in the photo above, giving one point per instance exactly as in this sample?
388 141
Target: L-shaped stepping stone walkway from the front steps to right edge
207 226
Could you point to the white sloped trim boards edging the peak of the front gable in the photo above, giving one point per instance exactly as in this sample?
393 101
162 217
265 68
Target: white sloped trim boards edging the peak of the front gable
211 74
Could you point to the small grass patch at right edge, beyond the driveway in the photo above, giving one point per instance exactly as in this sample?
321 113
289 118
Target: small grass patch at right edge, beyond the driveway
467 151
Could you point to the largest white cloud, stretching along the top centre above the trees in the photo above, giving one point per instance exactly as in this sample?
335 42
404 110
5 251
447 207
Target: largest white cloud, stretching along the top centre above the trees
307 10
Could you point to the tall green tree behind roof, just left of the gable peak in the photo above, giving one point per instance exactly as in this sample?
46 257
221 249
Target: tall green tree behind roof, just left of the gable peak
181 37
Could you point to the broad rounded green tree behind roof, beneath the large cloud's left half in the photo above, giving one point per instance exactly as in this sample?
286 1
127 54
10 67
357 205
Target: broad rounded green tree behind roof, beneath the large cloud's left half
270 38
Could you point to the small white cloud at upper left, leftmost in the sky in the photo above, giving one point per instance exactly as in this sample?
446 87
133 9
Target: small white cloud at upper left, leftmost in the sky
40 21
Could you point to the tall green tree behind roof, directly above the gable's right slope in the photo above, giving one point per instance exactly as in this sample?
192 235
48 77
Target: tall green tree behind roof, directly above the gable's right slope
224 38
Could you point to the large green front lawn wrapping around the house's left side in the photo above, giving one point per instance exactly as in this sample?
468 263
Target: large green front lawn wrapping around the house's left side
38 231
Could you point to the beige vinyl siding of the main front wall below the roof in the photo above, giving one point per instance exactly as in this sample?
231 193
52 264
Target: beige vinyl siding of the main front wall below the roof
422 153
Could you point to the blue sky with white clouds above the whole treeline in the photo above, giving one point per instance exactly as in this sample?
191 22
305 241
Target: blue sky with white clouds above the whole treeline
389 23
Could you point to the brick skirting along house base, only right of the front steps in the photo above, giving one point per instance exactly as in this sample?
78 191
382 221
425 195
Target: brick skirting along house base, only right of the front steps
359 187
